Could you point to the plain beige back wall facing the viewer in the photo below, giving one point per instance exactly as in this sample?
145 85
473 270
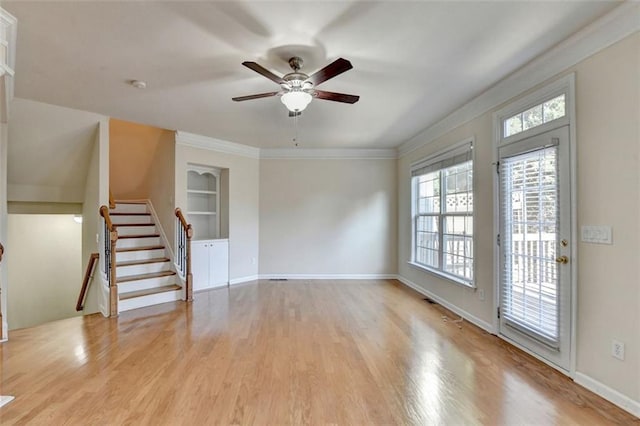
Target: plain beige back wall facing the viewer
328 217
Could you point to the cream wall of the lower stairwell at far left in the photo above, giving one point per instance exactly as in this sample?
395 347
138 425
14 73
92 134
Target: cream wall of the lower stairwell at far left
48 292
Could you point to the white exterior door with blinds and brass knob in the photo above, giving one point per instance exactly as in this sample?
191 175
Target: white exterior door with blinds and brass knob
535 245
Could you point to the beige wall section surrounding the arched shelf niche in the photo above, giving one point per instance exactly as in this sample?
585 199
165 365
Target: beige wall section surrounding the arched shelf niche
243 203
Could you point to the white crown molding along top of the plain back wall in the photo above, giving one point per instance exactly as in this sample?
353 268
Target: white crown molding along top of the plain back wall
328 154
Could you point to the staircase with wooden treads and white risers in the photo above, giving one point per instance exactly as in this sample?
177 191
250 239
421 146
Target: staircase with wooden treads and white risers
144 272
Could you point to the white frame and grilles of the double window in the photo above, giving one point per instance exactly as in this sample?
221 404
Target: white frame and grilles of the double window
441 156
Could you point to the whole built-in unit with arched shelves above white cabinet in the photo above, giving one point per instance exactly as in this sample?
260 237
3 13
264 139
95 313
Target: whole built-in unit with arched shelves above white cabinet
209 253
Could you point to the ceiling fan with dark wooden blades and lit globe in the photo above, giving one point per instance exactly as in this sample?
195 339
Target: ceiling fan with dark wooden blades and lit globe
298 88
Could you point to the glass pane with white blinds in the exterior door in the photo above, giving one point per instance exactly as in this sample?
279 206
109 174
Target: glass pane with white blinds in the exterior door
530 236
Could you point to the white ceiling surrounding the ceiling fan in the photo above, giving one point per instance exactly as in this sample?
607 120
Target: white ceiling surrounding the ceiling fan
414 62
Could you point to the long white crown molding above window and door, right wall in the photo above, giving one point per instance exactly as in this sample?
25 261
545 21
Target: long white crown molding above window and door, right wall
602 33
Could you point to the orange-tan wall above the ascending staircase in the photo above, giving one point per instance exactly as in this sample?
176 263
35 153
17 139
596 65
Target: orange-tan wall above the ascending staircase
142 166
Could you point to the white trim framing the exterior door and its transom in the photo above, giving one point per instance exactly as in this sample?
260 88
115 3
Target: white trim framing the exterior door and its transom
565 85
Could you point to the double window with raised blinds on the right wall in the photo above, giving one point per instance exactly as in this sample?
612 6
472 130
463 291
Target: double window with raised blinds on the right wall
442 206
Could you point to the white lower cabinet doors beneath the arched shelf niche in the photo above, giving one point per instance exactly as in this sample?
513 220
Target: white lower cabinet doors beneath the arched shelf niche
210 263
